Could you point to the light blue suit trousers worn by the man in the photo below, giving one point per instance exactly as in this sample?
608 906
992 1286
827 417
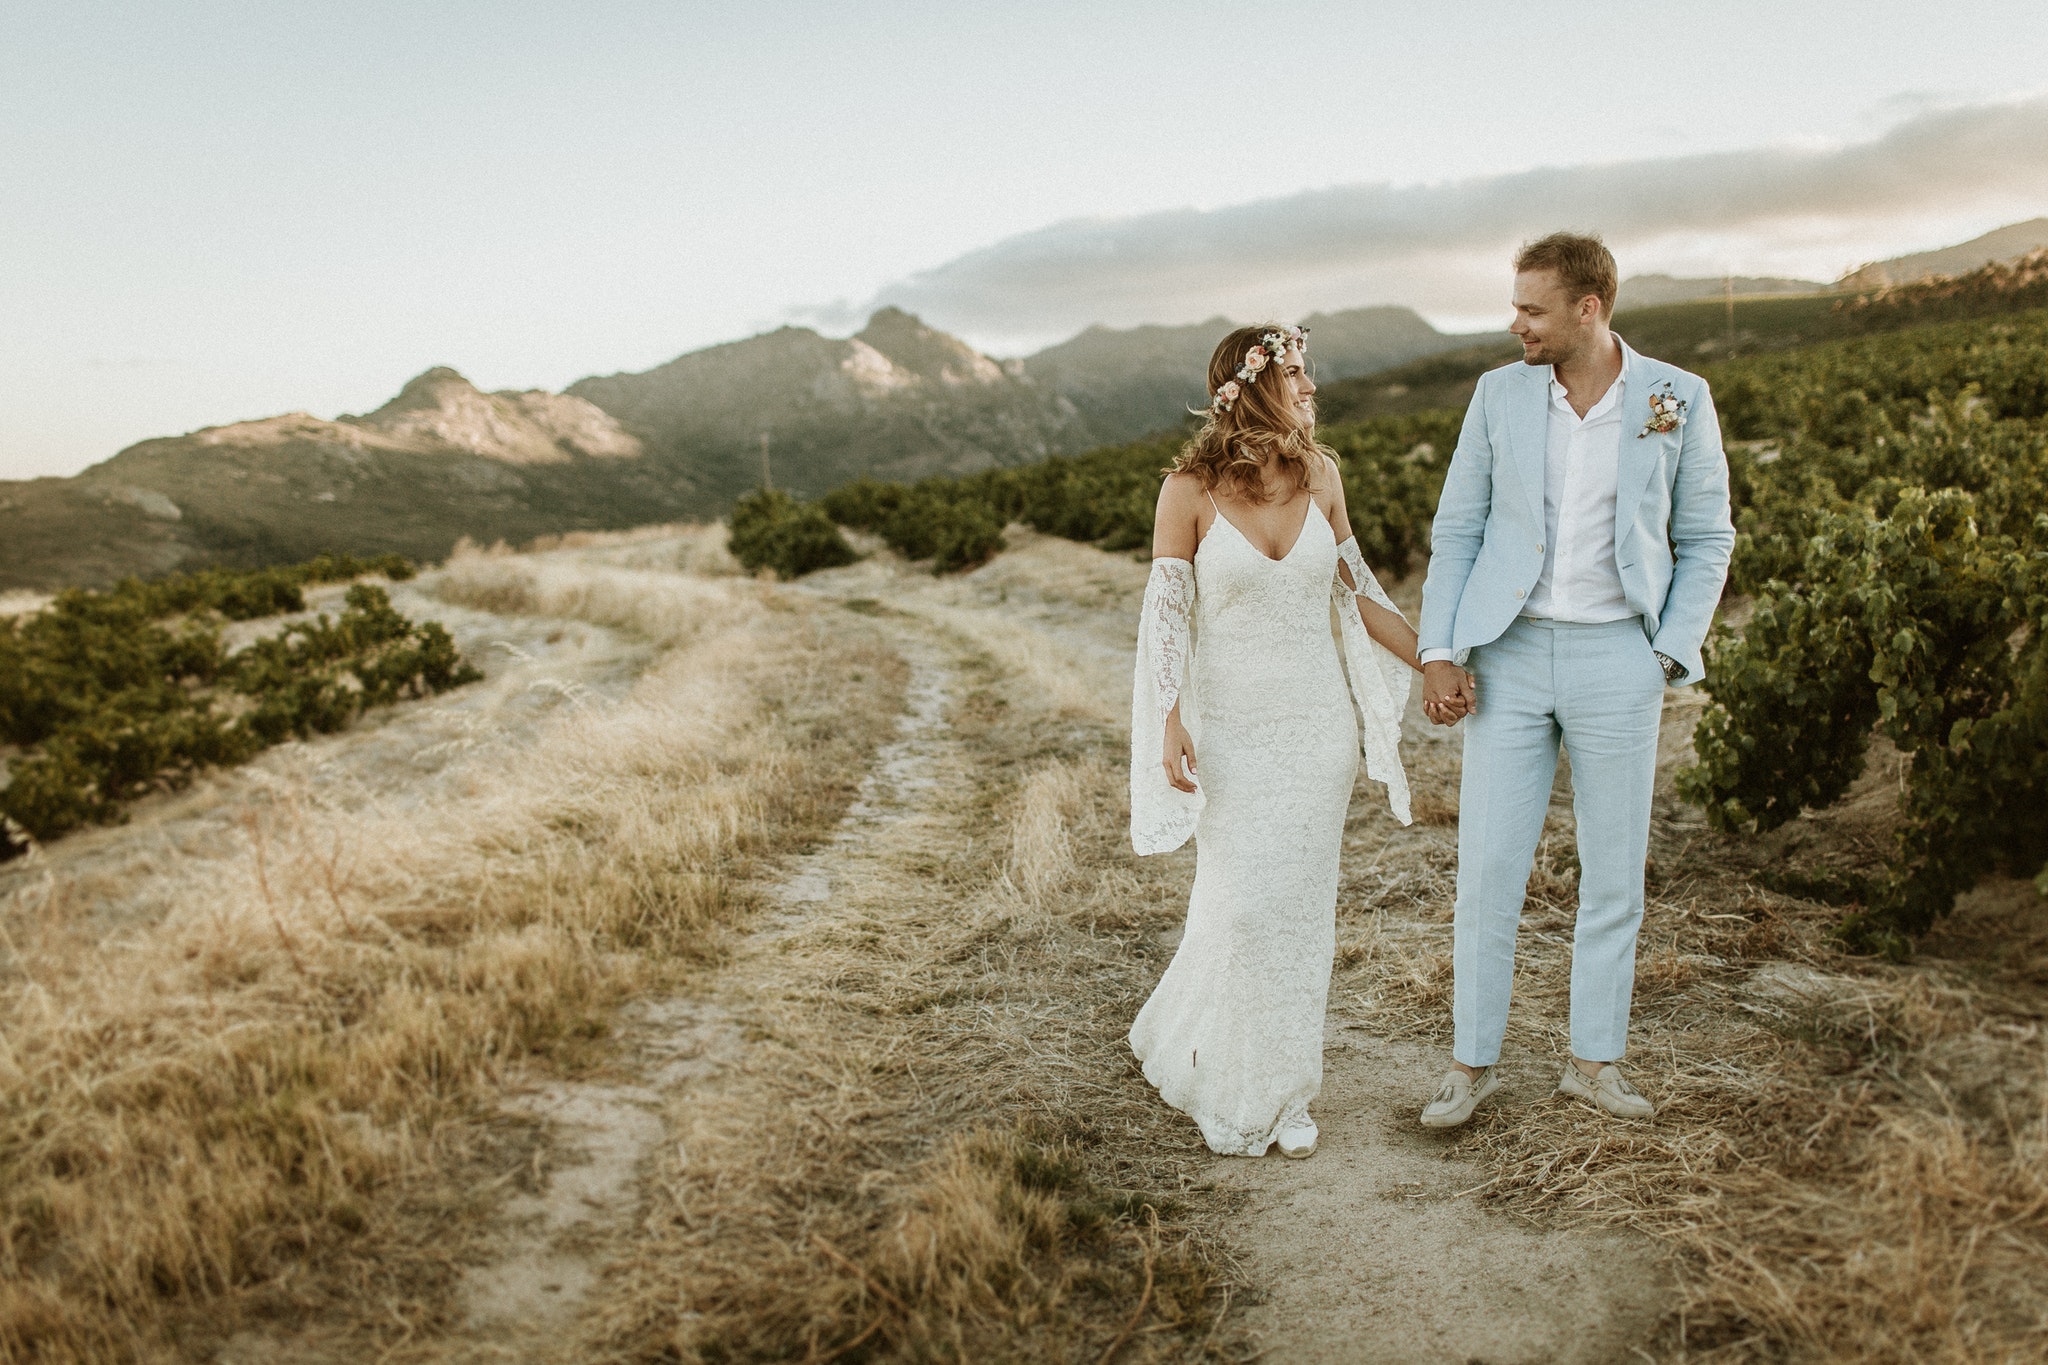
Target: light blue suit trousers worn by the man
1601 693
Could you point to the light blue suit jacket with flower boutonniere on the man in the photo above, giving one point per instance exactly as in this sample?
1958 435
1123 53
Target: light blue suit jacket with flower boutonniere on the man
1672 531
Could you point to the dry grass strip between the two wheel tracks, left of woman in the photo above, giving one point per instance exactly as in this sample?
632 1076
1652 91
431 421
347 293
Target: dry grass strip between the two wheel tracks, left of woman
939 1147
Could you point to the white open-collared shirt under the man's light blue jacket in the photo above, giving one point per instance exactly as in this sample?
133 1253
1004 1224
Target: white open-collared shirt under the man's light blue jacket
1580 580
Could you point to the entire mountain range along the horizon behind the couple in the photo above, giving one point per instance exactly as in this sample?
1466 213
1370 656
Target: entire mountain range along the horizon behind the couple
898 400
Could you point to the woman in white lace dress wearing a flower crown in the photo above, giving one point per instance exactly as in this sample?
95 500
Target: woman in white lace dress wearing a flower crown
1238 662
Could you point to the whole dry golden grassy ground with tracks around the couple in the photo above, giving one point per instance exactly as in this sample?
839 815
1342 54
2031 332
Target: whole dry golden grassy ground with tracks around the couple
740 973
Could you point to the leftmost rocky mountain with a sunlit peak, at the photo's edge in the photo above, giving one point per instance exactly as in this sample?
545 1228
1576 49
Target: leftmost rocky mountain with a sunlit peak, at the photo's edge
435 464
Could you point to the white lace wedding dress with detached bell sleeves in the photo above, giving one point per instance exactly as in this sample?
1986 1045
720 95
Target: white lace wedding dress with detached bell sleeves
1234 1032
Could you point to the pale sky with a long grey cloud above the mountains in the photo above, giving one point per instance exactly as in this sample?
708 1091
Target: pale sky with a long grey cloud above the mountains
220 212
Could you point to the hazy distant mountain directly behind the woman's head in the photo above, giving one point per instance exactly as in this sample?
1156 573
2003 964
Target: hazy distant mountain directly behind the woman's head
1129 382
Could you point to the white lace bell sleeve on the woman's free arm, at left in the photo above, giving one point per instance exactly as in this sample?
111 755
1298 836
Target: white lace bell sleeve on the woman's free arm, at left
1162 818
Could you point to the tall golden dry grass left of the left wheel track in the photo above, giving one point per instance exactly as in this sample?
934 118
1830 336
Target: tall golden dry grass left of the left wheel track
275 1084
